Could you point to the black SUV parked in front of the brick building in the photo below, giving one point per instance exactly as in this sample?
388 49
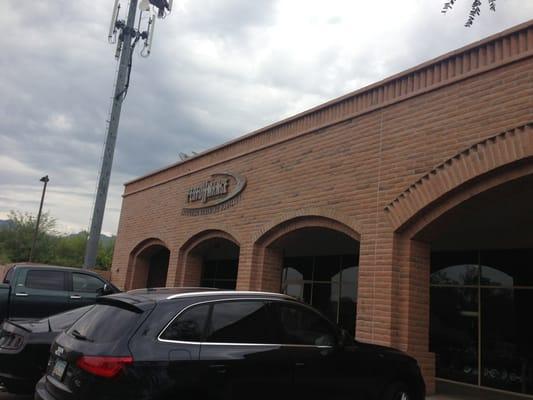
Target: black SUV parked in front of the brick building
208 344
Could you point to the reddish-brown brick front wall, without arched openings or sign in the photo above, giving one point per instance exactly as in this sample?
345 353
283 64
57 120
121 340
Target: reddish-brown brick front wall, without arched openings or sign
348 159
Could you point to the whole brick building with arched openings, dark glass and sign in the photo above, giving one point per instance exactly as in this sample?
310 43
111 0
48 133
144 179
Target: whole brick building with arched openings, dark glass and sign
402 210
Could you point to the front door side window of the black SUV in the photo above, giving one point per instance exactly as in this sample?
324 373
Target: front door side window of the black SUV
301 326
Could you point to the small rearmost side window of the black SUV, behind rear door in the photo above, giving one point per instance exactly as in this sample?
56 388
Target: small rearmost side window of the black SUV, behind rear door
189 326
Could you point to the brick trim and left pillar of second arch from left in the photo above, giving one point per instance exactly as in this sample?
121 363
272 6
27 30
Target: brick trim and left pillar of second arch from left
189 266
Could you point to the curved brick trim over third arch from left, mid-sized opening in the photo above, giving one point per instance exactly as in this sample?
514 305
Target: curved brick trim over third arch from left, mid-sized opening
308 217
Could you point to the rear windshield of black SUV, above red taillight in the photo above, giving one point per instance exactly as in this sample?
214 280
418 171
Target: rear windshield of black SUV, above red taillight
104 324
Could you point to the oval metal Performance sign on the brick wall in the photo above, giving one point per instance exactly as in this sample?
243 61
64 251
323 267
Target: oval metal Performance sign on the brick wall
215 194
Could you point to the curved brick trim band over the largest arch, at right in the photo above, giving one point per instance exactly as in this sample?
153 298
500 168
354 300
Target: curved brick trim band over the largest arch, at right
467 167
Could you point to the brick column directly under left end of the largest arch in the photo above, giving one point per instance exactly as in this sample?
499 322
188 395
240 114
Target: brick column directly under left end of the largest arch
412 259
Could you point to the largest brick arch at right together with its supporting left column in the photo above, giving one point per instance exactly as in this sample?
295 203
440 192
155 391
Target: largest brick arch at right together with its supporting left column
489 163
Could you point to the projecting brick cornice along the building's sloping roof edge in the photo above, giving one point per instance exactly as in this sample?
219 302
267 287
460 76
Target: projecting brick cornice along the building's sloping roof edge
392 89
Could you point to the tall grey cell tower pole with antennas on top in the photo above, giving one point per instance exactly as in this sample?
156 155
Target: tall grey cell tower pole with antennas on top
125 33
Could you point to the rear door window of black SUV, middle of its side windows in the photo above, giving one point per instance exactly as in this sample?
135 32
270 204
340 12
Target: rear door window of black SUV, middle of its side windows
240 322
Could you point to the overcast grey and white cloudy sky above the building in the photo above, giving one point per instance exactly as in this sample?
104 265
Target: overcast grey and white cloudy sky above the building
219 69
